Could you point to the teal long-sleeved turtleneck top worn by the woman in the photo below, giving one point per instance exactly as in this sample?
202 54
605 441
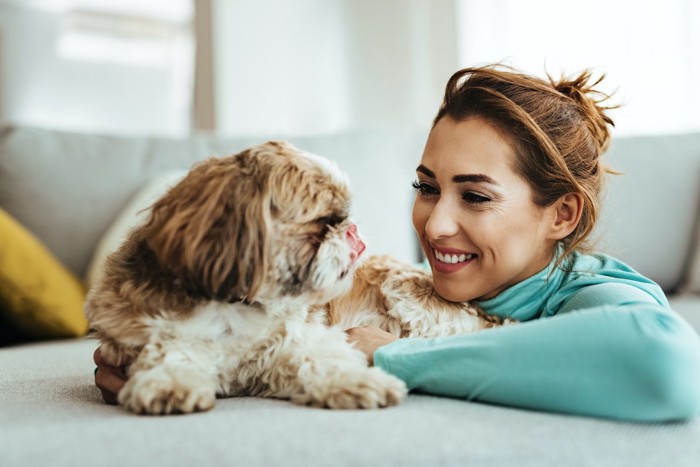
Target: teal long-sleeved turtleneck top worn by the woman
595 338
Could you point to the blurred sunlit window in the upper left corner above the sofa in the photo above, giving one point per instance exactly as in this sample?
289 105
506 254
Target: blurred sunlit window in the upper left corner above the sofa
122 66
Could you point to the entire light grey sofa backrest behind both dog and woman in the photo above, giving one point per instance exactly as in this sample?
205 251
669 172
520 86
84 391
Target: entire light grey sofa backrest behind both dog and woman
68 187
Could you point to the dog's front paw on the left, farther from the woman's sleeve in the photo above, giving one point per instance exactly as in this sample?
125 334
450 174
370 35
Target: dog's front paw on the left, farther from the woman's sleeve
156 392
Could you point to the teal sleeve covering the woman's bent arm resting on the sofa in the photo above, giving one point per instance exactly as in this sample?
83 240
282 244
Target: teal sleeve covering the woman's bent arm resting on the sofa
634 362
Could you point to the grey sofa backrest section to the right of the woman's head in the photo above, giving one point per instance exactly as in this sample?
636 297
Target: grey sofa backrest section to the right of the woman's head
651 210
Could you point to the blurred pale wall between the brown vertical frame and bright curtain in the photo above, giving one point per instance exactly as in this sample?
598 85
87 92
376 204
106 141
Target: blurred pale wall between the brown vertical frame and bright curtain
315 66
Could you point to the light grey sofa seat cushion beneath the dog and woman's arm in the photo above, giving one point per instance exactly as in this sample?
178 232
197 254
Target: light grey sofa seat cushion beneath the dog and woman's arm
53 415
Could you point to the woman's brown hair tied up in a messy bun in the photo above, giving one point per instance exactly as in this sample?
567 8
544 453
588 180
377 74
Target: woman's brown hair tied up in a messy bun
558 128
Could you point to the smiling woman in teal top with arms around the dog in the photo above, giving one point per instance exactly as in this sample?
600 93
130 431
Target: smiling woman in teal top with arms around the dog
507 194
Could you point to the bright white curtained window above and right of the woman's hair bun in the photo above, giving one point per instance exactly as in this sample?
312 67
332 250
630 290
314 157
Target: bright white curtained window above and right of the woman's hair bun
649 51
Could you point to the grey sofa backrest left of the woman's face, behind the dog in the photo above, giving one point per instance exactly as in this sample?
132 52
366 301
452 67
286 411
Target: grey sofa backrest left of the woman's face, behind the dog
68 187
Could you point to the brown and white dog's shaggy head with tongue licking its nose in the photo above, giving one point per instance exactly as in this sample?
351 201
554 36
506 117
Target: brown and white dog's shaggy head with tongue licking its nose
269 222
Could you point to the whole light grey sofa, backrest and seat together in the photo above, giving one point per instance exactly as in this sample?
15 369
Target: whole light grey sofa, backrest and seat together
67 188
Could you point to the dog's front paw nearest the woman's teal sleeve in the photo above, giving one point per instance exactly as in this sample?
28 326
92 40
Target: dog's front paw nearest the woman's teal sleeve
368 388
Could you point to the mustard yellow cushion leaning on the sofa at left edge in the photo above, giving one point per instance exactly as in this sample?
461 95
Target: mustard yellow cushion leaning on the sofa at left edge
38 295
